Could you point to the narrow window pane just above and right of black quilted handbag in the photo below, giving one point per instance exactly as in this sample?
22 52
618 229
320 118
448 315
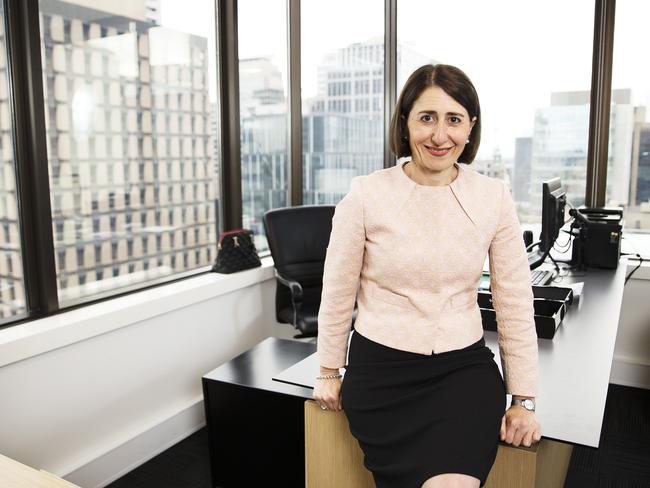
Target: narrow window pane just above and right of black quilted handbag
263 111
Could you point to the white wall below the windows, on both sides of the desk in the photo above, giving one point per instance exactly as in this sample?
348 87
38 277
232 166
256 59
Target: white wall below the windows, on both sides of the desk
95 409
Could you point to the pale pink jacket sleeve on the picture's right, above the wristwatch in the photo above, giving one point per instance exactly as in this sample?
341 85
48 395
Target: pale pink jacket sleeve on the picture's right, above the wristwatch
512 297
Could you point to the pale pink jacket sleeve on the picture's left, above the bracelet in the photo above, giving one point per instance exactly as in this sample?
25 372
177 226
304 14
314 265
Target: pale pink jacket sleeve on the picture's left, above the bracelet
343 263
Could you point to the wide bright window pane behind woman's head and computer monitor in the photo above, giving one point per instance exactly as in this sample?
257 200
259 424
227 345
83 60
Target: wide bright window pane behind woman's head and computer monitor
534 87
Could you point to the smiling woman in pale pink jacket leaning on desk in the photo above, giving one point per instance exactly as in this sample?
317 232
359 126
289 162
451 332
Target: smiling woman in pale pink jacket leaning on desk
422 393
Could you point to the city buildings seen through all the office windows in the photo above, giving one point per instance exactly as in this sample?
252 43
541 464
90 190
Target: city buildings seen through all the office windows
133 141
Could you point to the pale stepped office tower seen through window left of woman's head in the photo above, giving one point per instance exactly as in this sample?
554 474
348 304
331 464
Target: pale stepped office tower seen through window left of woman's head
343 133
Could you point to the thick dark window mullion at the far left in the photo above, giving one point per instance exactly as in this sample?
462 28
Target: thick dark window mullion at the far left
25 72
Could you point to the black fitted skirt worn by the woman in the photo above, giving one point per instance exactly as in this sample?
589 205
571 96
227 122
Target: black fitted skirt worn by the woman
416 416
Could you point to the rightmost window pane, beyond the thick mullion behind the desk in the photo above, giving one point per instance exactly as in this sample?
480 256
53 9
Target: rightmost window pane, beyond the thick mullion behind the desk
628 172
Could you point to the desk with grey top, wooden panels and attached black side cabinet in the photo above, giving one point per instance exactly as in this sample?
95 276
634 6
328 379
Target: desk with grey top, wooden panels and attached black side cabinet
249 414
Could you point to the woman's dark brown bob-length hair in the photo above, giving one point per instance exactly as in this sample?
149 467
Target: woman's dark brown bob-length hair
456 84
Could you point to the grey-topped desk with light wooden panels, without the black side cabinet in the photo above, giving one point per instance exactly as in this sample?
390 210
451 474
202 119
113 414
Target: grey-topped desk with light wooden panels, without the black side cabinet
574 371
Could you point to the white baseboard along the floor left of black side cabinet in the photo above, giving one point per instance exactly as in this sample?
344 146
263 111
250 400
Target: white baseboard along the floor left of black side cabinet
119 460
